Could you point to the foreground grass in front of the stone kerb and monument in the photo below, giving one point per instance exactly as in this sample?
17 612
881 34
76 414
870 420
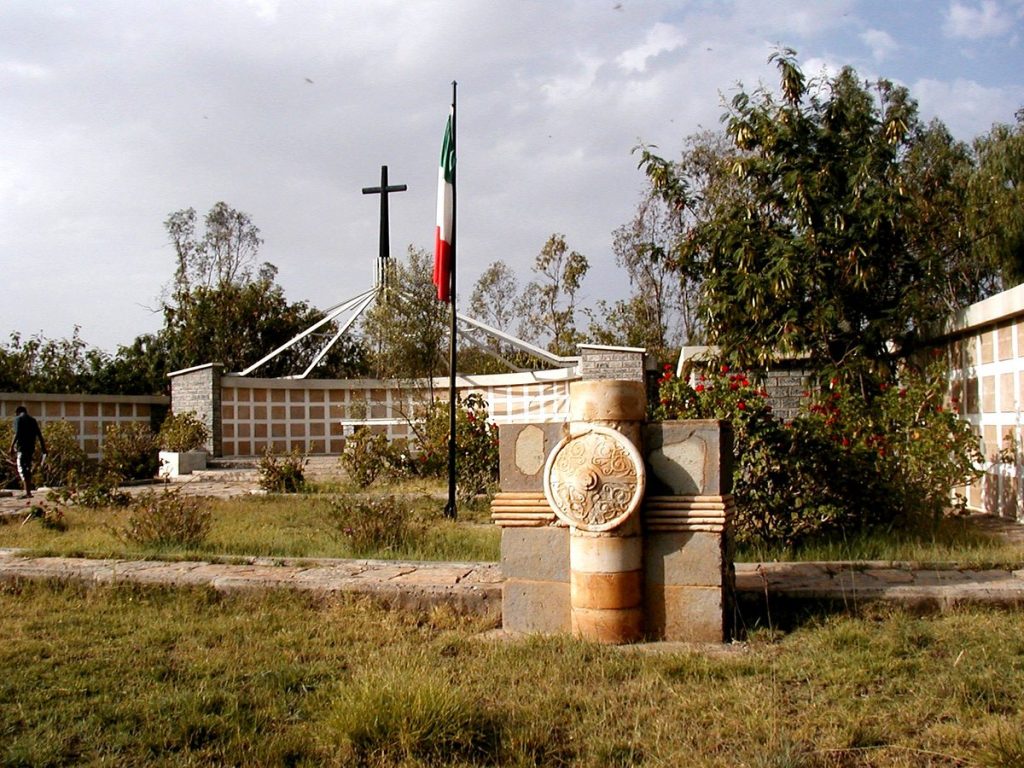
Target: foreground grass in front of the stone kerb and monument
149 676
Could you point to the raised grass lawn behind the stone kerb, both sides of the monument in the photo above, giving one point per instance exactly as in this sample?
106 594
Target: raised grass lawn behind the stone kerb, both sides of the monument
315 525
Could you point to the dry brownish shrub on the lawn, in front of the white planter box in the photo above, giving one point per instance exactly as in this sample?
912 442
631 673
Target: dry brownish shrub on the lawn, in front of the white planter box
167 520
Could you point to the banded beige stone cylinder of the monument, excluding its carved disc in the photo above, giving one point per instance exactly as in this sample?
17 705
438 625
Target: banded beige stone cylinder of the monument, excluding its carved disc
607 569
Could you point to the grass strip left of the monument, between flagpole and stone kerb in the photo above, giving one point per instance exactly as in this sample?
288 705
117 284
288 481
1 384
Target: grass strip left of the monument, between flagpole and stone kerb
296 526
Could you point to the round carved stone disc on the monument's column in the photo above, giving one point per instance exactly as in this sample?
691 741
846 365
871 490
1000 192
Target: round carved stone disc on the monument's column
594 480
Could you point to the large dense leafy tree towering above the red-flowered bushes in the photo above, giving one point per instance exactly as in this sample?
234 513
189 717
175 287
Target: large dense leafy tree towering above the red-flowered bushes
818 250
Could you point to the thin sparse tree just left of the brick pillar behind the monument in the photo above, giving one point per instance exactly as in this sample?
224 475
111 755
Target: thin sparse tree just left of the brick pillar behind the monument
550 302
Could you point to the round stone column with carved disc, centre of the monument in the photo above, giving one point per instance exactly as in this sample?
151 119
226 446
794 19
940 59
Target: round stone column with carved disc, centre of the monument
594 482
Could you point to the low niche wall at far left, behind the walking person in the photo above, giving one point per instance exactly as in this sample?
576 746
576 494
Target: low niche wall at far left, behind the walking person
90 414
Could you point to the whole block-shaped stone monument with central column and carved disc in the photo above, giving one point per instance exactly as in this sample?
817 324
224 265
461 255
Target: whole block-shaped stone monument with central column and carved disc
615 530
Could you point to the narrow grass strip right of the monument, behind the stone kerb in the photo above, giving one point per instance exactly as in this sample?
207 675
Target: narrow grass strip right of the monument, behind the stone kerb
957 540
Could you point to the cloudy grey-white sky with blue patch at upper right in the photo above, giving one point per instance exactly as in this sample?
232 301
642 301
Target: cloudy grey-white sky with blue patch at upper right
115 114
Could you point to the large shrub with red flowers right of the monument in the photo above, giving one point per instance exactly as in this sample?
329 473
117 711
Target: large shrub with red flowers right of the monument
848 462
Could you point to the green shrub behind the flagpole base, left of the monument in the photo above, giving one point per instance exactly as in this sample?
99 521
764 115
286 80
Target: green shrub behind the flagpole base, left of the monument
477 445
